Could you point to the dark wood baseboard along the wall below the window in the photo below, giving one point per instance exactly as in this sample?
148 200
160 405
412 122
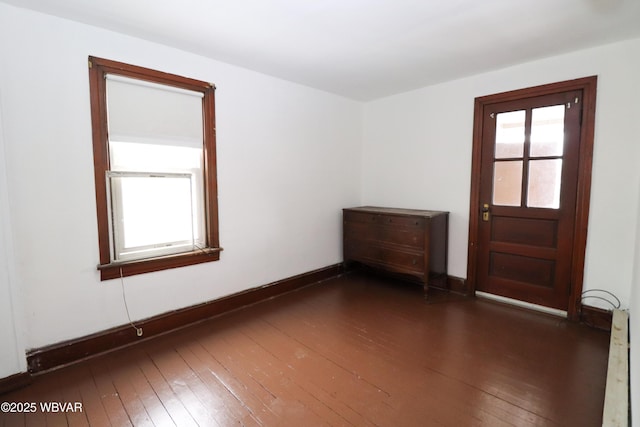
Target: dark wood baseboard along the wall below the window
64 353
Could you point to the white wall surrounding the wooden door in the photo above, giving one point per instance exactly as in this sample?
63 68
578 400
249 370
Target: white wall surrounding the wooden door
418 153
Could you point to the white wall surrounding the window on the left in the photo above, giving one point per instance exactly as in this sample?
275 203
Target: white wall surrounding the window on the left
289 159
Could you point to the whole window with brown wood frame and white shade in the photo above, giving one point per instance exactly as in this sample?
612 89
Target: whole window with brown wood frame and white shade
155 169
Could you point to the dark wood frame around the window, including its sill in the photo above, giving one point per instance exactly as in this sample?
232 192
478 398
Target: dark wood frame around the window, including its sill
98 68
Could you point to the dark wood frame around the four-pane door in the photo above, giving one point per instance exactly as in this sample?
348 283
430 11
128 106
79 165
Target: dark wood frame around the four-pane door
588 86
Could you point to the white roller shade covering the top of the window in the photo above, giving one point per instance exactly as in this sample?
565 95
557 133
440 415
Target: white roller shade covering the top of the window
153 113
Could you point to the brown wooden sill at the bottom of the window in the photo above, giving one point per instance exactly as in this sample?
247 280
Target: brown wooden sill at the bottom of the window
130 268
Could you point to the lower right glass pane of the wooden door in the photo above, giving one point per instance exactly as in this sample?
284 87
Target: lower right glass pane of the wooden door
544 183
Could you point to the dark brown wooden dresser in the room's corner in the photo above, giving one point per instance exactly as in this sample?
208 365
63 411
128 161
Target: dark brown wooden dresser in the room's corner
405 241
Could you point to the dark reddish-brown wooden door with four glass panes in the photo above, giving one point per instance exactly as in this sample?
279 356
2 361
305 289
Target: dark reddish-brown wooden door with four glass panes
527 196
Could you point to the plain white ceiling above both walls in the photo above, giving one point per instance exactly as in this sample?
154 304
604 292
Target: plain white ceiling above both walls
362 49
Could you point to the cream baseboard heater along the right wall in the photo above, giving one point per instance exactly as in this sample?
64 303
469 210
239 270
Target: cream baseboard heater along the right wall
616 397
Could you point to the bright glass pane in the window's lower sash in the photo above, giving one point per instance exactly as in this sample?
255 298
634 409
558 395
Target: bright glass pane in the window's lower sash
154 211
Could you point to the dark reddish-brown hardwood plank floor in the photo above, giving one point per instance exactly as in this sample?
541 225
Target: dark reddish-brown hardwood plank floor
358 350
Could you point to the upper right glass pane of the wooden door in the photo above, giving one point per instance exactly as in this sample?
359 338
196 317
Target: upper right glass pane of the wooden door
547 131
